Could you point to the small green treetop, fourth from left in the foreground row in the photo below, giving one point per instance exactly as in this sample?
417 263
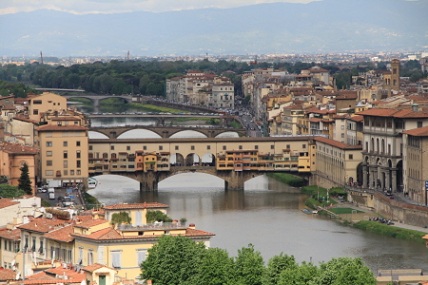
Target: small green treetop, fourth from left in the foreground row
276 265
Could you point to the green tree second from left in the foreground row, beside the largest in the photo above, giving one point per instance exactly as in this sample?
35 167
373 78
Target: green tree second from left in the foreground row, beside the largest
215 268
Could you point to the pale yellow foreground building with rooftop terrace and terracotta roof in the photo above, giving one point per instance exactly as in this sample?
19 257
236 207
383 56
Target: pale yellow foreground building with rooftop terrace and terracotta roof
124 247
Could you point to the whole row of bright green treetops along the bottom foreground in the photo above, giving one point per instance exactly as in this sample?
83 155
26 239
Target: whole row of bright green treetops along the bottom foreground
179 260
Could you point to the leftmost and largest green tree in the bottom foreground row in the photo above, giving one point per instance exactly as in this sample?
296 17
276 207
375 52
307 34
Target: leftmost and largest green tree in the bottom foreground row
173 260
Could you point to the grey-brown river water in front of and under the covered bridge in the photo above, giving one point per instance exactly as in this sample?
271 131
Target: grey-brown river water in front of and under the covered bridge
266 214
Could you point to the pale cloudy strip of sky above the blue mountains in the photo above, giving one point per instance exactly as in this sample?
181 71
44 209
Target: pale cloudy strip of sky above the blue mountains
123 6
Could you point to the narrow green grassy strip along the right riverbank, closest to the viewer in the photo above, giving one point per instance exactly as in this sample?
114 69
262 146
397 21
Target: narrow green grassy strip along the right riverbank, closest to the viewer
390 231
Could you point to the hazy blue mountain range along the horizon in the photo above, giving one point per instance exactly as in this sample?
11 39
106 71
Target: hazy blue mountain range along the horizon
324 26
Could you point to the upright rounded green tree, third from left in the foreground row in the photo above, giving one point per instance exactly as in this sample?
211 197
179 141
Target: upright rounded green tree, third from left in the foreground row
249 266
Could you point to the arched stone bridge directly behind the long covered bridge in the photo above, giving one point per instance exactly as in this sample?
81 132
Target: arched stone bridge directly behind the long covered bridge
166 132
